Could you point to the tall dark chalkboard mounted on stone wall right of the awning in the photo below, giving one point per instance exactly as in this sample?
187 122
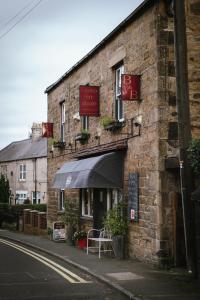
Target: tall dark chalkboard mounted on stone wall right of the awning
133 197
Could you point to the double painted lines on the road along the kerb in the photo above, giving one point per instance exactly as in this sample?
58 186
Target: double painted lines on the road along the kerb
72 278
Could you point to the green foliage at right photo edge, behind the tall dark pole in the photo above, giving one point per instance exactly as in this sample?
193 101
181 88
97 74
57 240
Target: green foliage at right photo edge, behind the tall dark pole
194 155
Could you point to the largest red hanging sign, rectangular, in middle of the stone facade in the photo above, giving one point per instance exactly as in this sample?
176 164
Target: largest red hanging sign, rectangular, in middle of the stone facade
89 100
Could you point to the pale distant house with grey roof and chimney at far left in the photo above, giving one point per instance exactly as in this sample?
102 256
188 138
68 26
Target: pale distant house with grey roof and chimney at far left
24 163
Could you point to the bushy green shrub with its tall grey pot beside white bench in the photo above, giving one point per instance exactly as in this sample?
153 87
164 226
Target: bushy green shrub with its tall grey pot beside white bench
116 222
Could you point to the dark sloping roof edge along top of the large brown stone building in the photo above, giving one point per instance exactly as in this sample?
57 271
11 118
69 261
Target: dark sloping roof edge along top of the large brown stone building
137 12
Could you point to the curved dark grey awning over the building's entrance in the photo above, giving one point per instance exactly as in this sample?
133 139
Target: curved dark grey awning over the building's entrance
104 171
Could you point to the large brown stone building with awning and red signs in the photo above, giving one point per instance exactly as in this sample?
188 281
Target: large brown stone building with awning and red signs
138 153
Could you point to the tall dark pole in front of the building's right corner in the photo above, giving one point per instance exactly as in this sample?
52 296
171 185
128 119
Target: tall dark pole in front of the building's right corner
184 129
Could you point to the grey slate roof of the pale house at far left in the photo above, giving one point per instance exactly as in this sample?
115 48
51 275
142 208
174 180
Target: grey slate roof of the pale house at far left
25 149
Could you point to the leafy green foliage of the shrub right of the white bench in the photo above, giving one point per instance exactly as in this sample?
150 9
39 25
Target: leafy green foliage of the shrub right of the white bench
116 219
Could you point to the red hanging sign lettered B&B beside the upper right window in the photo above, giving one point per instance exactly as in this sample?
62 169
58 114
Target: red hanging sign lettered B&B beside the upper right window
130 89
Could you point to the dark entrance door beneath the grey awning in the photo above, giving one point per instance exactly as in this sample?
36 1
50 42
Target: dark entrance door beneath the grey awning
99 207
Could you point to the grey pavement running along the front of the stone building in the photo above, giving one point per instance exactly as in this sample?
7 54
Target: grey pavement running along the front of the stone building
136 280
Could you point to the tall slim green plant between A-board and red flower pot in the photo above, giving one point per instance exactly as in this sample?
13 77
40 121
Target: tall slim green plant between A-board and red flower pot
70 218
